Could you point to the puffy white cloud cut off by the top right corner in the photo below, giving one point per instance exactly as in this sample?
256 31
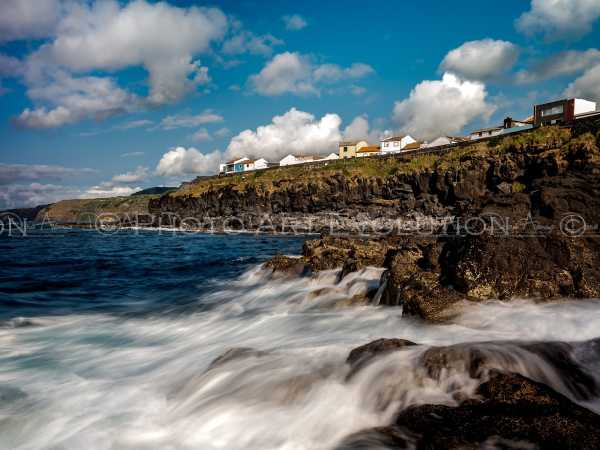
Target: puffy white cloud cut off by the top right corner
557 19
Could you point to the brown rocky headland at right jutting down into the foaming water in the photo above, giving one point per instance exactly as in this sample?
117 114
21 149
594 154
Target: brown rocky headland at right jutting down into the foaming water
525 225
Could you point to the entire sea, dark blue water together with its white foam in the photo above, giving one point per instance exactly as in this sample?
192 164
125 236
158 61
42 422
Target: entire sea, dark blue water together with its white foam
107 342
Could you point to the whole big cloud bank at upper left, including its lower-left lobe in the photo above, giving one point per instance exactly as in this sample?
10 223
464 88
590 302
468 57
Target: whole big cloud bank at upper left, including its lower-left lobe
111 36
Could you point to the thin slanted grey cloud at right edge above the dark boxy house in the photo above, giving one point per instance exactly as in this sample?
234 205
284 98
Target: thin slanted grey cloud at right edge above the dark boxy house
561 64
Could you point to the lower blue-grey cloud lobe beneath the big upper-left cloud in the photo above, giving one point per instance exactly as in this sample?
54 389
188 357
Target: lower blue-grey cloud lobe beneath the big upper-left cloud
75 99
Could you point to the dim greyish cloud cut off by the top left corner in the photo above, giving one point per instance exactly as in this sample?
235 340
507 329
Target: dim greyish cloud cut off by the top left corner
22 19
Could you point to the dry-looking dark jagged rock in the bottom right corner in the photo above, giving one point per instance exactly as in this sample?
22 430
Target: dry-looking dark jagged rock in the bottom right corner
511 407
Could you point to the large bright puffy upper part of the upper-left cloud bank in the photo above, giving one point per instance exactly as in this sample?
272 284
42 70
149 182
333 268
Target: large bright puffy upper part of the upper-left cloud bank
160 37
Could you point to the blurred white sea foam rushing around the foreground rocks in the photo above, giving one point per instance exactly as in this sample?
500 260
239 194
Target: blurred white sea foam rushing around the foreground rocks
108 382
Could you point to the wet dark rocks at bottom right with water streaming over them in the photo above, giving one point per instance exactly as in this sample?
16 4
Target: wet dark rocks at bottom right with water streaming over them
507 409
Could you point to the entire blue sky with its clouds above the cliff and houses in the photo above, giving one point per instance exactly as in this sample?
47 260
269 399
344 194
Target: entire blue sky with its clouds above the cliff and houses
103 98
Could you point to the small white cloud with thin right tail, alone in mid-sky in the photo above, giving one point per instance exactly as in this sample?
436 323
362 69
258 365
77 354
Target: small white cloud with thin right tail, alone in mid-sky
296 74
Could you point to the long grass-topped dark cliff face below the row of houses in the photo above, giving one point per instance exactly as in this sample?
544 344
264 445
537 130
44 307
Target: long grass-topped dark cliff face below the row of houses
545 171
